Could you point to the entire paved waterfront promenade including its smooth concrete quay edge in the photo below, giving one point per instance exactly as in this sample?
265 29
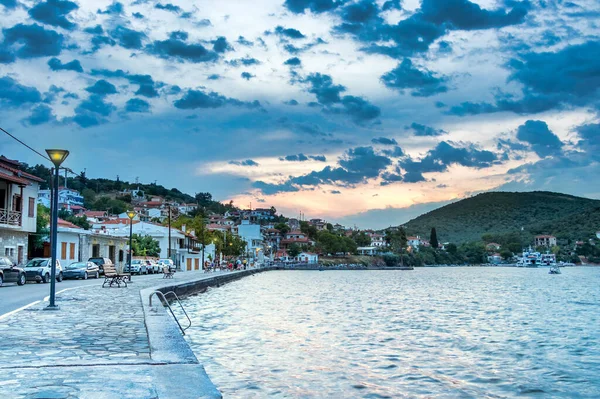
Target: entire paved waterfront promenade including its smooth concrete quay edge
102 343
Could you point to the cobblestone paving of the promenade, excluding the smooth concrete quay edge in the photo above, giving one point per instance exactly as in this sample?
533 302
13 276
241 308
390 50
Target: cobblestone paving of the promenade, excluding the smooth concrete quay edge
99 334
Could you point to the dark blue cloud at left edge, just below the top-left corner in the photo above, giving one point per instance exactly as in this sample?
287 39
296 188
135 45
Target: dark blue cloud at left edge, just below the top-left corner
34 41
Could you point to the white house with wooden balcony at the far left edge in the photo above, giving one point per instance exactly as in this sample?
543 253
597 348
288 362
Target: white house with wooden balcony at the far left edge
18 209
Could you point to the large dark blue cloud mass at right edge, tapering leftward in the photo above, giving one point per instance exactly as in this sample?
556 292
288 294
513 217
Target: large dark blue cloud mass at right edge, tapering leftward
568 77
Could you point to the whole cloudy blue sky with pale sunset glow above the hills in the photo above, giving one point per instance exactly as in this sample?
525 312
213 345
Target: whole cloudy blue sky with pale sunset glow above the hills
364 112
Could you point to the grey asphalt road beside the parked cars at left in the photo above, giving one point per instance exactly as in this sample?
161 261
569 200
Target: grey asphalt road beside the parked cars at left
13 297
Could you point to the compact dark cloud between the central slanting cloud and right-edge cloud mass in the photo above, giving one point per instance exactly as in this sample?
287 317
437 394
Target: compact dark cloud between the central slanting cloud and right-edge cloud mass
422 83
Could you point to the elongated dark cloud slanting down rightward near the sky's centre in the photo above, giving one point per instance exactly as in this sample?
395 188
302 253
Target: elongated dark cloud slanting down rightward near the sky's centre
329 95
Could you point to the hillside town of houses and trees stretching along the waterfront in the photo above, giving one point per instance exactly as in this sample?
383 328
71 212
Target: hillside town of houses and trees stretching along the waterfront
200 233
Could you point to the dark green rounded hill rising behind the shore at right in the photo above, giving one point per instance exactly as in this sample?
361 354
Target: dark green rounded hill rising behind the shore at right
501 213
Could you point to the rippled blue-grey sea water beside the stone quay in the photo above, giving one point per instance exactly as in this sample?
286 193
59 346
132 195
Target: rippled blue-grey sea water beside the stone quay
427 333
